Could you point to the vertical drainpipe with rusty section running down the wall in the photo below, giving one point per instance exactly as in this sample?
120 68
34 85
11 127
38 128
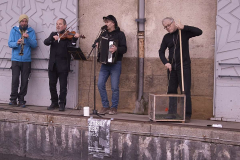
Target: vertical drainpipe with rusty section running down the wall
139 108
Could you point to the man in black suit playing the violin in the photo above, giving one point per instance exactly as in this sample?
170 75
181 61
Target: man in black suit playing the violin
59 63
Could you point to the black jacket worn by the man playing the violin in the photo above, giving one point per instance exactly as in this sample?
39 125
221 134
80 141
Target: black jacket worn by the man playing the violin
58 53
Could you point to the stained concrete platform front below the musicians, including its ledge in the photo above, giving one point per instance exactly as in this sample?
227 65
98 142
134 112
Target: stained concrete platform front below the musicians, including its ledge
49 137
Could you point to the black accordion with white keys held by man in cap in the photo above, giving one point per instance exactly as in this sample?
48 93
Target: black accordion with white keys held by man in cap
104 56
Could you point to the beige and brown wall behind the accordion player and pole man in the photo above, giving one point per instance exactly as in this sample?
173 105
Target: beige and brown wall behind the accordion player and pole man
199 13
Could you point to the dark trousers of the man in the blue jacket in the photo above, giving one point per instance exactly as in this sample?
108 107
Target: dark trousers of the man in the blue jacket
22 69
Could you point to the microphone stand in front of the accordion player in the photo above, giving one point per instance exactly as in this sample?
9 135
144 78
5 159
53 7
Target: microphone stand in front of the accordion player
94 72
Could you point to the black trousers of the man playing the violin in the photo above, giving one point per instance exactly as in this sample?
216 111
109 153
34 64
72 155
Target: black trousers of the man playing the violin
54 75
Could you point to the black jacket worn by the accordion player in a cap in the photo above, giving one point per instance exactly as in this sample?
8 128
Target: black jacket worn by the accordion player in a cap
120 37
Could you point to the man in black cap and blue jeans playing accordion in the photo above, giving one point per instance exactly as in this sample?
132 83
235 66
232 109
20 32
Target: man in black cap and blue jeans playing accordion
117 48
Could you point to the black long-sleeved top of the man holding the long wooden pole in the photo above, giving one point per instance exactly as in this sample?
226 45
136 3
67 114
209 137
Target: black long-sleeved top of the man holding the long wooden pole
170 40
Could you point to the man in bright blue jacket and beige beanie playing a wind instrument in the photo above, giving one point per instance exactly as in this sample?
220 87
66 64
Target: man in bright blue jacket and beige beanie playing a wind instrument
22 39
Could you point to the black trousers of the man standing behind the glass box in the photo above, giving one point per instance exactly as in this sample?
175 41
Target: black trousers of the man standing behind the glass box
174 82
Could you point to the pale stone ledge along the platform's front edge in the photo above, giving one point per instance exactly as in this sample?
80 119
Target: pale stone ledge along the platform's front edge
176 131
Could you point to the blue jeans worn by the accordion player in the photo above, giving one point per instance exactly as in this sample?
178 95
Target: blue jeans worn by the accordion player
113 70
